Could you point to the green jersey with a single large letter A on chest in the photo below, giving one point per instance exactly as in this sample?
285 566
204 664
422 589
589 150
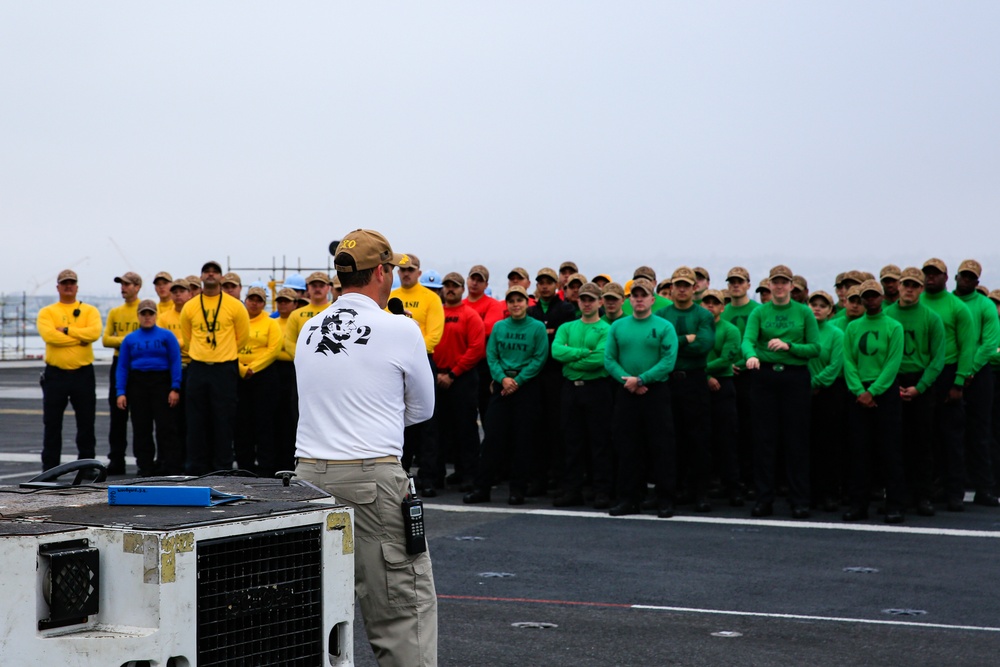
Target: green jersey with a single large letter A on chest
645 348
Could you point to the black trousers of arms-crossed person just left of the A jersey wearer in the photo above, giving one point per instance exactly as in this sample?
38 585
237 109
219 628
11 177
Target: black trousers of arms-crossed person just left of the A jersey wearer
587 432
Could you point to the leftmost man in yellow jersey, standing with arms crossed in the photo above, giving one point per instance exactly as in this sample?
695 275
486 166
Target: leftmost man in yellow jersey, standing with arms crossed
69 328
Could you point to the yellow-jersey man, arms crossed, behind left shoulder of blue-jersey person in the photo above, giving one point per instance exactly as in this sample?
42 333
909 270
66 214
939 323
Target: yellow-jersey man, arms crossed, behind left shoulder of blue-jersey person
122 321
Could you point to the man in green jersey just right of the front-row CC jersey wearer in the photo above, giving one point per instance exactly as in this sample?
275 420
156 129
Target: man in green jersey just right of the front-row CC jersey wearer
923 360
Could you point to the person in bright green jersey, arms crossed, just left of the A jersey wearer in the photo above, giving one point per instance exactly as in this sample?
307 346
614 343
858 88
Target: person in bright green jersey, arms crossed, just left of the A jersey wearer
586 395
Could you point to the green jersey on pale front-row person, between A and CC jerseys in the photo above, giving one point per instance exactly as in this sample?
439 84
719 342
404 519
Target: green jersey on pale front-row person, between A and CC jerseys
792 323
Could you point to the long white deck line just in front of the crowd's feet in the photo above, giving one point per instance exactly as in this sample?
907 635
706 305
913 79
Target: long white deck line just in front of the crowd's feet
816 525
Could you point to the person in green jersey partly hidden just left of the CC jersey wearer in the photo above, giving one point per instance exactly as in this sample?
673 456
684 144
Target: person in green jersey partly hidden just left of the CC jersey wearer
829 407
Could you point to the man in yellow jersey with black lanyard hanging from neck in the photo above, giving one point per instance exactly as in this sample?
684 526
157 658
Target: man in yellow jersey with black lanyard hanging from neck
215 326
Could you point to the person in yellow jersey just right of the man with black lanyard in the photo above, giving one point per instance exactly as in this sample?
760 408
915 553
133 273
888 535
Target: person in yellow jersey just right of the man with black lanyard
254 440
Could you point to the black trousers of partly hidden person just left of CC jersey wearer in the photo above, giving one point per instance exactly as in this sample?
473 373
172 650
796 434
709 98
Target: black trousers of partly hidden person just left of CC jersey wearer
827 455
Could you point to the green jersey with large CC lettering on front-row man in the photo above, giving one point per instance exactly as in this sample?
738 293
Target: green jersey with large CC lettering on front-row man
873 351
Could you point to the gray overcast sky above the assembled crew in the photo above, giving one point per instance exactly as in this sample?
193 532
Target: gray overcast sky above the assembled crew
827 135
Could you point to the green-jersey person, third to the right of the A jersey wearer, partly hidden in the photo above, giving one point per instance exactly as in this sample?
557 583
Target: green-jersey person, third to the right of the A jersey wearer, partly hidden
723 417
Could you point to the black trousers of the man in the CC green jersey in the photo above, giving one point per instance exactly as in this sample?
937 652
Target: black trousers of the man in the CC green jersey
875 433
